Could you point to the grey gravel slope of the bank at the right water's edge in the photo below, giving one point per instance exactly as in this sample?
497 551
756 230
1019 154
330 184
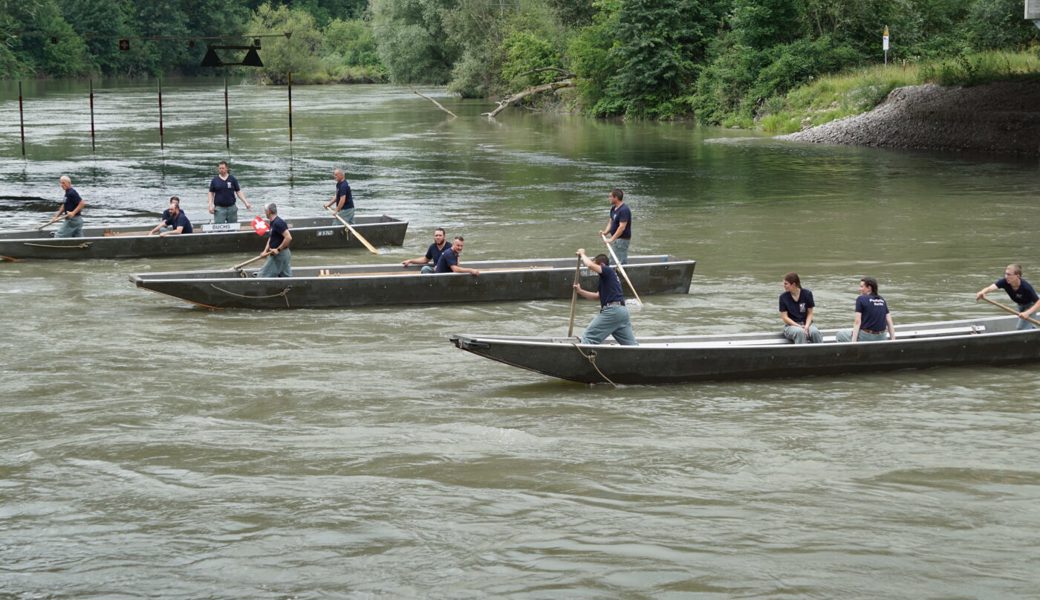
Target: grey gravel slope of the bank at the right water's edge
998 118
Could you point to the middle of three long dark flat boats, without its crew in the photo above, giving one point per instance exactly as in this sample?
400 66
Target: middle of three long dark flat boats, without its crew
393 284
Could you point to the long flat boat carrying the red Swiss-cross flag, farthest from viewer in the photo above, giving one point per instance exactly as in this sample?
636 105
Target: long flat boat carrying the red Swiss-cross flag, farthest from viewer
134 242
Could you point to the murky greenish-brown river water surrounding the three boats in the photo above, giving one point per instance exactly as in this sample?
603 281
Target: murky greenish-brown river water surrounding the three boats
153 450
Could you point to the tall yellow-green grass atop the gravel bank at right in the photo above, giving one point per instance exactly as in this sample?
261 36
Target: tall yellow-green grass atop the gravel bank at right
836 97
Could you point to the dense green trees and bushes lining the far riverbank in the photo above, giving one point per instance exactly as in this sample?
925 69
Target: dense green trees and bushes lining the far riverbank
726 62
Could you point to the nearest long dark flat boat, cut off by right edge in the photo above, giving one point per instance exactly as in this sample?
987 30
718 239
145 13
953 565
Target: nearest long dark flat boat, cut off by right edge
681 359
